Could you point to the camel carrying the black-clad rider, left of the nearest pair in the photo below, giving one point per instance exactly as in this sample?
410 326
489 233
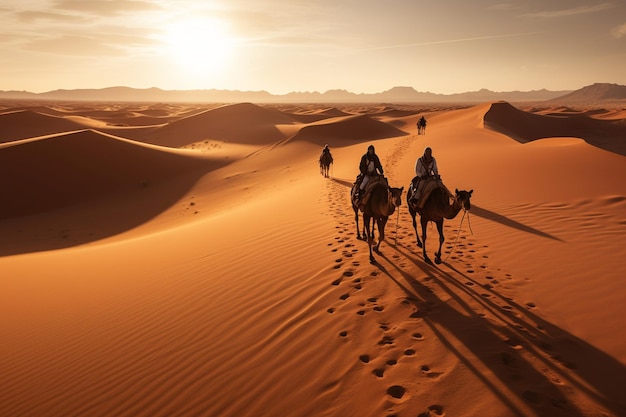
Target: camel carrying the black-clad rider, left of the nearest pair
382 202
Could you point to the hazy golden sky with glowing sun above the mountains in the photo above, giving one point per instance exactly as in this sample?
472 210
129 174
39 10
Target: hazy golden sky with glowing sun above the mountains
364 46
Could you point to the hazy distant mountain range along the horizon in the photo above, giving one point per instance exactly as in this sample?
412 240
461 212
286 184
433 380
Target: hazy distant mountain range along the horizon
592 93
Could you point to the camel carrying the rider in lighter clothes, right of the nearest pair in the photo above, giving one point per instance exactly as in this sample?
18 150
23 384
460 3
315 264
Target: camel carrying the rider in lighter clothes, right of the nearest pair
436 208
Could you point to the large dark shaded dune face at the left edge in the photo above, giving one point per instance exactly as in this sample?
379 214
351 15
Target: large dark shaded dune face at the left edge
109 184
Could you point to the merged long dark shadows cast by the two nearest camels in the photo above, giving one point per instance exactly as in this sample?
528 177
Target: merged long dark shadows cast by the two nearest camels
534 359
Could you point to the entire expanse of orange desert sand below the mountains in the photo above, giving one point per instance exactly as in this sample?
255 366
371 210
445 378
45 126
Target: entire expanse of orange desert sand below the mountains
188 260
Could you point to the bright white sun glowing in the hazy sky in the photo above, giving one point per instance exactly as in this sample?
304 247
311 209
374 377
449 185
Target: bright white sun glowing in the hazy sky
199 45
